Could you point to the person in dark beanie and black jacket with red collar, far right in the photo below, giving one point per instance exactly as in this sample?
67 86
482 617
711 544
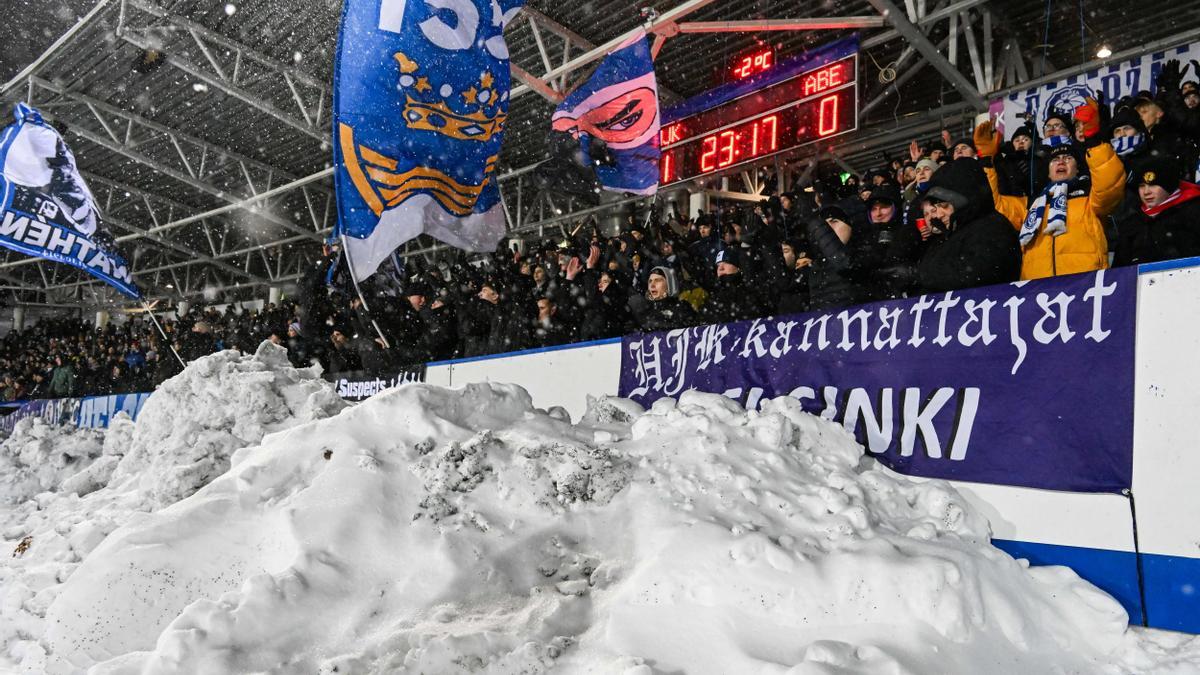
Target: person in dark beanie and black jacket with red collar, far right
1168 224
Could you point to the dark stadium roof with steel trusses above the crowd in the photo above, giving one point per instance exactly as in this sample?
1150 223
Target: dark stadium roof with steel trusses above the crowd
205 128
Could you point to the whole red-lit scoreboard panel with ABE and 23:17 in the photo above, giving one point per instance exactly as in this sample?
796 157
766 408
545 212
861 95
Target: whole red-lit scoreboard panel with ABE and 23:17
811 106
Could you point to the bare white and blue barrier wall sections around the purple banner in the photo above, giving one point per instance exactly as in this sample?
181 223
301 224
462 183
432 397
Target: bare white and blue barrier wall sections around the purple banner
1155 574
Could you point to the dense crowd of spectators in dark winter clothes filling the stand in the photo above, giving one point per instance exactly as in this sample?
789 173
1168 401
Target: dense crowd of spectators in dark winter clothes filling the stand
1079 192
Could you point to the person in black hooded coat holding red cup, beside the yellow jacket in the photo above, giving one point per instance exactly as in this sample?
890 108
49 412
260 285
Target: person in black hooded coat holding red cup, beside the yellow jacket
973 244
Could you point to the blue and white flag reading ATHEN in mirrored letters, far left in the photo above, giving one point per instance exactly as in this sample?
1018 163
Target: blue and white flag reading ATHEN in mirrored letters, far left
46 208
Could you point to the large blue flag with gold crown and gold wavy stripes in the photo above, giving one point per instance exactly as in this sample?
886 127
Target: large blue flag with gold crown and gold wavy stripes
421 97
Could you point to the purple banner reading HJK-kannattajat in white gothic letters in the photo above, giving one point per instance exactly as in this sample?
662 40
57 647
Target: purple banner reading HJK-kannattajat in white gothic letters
1028 384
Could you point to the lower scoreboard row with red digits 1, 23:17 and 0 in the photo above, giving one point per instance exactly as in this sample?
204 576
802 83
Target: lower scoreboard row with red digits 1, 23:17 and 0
784 129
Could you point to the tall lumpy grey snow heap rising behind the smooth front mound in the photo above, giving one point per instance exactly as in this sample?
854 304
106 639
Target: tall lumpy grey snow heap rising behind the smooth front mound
189 429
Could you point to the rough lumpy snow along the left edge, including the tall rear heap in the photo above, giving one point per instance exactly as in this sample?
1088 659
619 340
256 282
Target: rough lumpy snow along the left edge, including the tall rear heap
69 489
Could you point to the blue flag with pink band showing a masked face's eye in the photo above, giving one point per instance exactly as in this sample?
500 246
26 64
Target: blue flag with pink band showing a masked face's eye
619 106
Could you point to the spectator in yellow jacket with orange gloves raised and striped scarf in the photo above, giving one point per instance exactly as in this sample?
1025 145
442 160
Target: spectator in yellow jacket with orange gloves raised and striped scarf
1063 229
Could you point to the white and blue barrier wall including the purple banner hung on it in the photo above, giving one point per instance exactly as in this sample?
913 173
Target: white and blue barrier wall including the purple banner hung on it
1058 408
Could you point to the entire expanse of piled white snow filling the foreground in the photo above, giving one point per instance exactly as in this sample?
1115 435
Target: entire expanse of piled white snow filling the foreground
249 524
